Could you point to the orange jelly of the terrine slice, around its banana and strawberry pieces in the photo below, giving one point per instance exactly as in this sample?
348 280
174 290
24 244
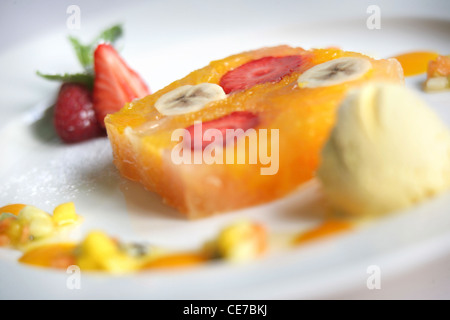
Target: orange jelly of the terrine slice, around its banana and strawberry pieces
141 137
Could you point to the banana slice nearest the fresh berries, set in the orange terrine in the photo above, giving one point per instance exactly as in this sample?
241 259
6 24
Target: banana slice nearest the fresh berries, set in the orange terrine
189 98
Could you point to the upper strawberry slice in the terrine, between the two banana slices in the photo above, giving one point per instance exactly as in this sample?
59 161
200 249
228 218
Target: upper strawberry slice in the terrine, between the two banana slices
267 69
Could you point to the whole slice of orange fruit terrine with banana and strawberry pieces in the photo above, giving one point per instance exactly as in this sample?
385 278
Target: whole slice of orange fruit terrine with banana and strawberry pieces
241 131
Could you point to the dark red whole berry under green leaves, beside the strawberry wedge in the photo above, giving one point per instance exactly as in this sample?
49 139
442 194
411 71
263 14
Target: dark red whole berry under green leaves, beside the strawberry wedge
74 116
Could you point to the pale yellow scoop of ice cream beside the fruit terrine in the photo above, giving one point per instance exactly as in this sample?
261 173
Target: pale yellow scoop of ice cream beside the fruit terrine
387 151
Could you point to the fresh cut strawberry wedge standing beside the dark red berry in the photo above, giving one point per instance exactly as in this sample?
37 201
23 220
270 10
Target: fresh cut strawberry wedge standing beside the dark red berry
115 83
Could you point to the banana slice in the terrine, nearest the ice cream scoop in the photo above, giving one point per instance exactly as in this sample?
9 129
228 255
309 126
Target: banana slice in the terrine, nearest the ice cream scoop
334 72
